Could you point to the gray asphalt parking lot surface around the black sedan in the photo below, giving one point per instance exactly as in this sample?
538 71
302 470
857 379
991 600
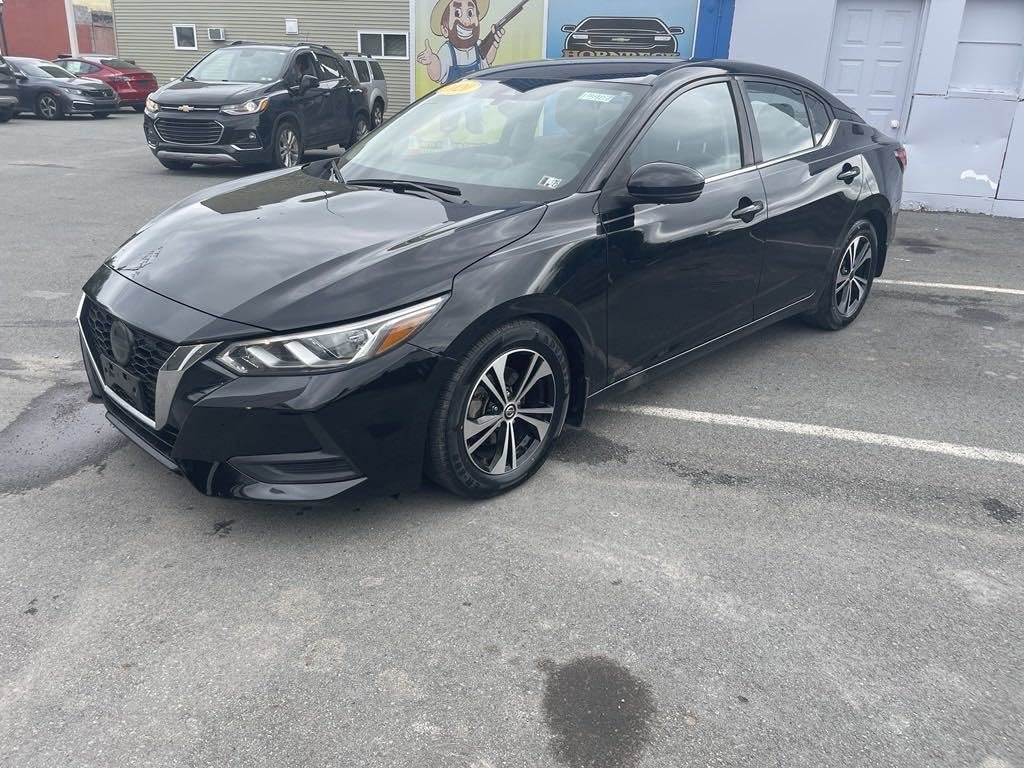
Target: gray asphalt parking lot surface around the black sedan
806 549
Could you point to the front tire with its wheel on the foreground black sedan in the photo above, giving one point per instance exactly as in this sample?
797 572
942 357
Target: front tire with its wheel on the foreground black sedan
465 398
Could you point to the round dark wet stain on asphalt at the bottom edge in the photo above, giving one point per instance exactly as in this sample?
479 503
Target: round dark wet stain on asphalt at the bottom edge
600 714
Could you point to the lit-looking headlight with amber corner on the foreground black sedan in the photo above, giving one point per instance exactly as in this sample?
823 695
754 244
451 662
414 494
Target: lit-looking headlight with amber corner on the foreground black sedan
329 349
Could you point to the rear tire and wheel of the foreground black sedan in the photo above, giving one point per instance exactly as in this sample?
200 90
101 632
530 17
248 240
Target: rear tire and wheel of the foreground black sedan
844 297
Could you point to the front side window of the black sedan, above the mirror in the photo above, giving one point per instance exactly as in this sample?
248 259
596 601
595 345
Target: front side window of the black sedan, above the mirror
699 130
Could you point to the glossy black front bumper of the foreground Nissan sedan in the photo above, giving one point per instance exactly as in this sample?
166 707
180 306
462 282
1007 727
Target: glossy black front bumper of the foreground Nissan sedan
288 439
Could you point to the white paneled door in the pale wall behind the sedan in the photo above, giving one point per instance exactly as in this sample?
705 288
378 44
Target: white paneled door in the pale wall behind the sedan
872 59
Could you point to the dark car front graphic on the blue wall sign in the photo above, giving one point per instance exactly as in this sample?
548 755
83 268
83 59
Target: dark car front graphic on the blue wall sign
621 36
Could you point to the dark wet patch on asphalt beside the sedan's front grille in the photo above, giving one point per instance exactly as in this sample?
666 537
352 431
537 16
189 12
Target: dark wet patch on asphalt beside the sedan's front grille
58 435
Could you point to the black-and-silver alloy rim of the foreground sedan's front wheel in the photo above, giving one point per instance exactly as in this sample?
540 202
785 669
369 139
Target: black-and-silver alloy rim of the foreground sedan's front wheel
510 412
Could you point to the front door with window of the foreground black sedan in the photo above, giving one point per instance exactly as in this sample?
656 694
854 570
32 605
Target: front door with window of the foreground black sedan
684 274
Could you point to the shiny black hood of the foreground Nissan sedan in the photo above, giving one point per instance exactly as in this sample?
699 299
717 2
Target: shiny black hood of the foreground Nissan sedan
293 249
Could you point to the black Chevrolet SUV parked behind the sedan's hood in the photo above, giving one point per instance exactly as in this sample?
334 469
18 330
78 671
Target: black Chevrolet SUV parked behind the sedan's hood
257 105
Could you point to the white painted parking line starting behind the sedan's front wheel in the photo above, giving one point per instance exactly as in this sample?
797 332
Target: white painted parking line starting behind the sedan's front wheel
833 434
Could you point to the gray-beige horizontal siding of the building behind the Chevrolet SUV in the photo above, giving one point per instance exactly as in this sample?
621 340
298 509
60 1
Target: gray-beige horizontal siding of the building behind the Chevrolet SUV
144 30
